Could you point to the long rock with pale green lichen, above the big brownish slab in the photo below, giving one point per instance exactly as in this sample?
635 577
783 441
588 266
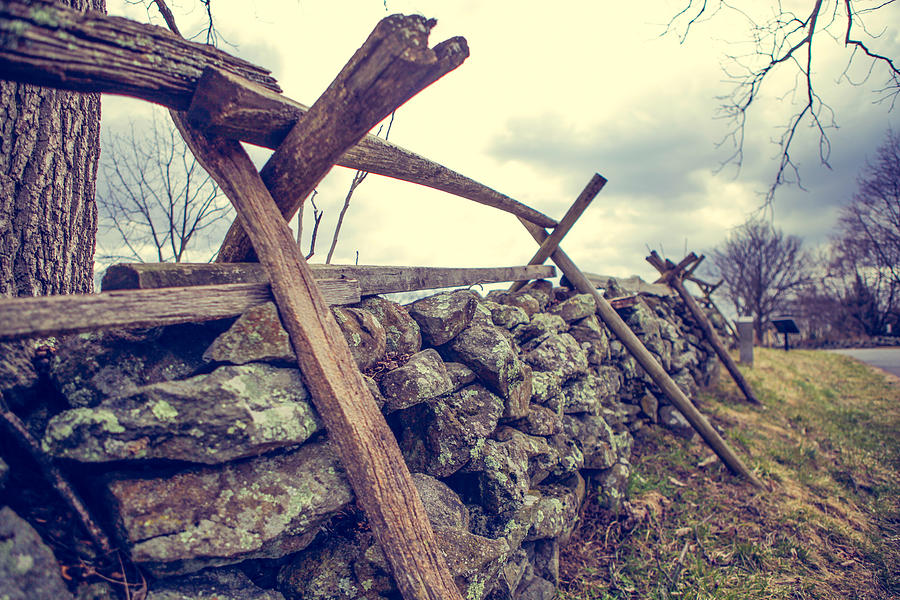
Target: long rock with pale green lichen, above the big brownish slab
233 412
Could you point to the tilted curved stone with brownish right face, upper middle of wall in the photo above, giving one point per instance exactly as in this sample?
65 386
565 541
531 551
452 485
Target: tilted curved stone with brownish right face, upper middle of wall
494 360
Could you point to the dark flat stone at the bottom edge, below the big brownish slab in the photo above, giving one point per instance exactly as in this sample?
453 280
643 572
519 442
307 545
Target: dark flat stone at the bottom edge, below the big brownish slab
218 584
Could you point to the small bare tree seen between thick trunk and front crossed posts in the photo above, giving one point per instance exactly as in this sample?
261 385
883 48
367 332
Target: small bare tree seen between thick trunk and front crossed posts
155 201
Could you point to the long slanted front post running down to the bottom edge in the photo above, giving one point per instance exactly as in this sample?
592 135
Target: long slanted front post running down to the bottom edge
365 443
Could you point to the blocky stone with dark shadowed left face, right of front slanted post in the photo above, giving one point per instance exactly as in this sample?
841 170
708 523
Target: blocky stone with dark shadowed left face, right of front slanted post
438 437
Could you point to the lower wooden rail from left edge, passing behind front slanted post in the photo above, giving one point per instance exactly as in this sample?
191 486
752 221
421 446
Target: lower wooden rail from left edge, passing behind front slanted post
43 316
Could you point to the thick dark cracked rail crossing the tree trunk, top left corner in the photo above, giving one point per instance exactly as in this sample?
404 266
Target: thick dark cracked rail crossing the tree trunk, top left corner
47 44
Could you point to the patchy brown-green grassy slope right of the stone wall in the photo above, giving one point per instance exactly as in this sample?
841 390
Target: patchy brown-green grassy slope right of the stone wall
827 445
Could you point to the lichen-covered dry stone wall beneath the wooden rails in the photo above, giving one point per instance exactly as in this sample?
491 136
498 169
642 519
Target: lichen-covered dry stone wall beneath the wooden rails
204 455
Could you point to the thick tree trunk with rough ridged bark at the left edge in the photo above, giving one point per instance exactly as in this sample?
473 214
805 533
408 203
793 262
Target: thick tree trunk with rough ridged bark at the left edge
49 148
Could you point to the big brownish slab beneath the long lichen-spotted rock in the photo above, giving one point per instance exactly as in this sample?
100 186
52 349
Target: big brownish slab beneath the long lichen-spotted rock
265 507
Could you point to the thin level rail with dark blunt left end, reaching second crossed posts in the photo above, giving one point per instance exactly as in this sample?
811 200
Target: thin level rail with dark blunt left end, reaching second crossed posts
371 279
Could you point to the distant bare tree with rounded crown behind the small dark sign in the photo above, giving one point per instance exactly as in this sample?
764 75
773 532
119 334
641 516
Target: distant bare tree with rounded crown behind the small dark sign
763 270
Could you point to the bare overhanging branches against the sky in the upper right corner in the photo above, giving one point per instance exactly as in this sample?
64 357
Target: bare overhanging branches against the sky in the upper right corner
785 41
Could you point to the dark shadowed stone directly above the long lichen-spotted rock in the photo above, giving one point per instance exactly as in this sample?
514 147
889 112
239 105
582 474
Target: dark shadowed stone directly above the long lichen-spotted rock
90 367
